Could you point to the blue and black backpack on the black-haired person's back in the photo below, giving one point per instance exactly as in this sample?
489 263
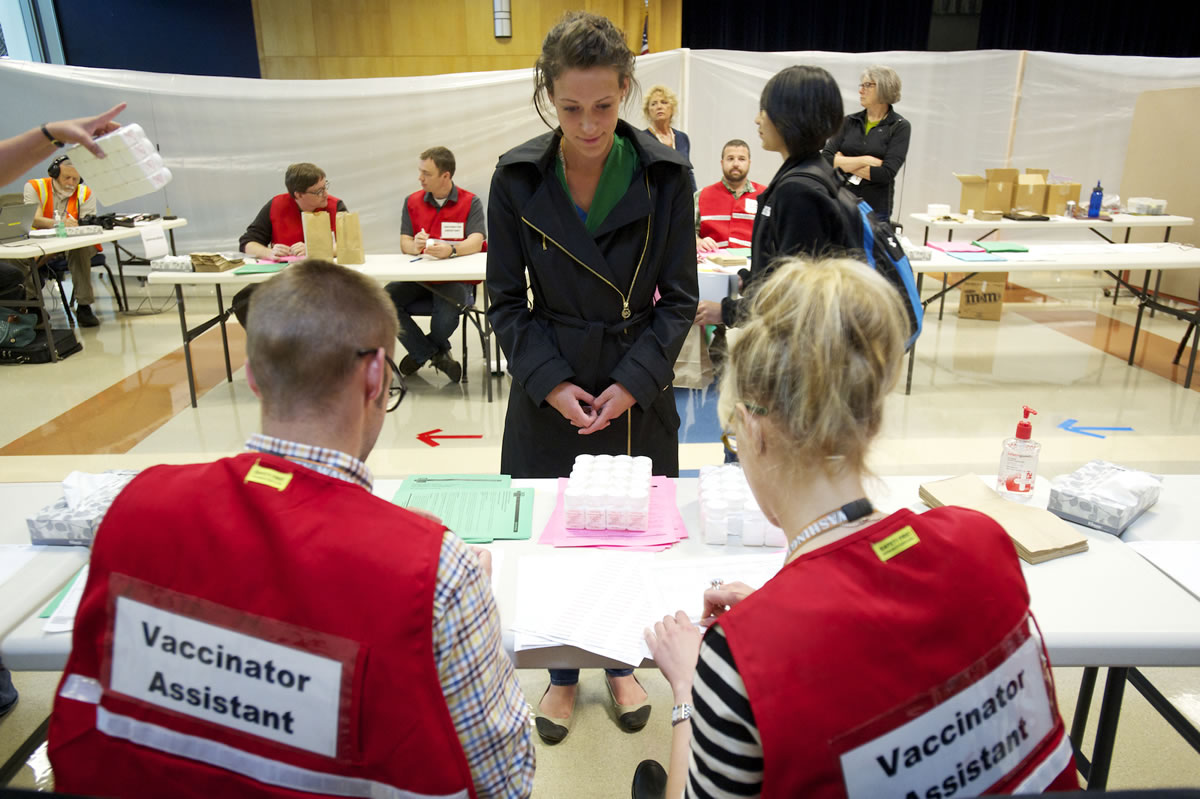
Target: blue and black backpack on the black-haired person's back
879 242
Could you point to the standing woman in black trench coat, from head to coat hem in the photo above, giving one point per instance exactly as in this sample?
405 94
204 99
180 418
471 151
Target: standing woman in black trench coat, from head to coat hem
592 357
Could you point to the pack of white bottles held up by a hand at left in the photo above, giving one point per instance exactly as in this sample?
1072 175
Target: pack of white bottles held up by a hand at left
133 166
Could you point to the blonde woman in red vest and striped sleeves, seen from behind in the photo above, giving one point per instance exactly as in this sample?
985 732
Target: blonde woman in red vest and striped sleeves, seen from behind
893 654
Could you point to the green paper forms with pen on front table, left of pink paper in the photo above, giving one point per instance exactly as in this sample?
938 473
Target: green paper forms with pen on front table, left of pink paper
475 514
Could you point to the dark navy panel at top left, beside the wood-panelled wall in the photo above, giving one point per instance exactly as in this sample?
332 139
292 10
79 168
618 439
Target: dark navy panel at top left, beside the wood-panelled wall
207 38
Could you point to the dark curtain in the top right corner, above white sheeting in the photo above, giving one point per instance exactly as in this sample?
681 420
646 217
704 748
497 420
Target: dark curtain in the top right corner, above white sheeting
1100 28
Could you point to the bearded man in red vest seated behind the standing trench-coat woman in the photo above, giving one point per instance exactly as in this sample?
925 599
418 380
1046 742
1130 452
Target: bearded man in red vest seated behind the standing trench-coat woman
725 214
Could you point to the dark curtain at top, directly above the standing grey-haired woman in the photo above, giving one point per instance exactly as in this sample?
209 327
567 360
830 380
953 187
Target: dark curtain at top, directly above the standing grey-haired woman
773 26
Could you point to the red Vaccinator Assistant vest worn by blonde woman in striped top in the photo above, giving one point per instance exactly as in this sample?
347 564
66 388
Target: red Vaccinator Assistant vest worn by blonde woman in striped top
902 662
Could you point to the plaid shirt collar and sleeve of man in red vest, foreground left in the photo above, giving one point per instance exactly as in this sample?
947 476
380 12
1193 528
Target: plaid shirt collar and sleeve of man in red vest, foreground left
482 692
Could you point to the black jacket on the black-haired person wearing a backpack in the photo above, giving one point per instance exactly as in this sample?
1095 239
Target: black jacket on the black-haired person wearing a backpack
796 217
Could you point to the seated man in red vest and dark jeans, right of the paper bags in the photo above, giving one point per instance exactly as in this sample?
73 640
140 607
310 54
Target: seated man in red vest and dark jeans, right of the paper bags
441 221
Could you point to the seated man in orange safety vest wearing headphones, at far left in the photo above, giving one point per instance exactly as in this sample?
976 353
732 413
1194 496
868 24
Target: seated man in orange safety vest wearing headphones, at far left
65 194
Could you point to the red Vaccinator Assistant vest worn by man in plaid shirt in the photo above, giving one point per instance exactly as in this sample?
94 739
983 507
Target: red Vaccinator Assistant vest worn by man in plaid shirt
251 628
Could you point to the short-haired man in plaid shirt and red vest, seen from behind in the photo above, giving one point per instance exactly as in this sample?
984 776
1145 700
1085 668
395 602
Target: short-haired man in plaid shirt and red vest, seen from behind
265 624
